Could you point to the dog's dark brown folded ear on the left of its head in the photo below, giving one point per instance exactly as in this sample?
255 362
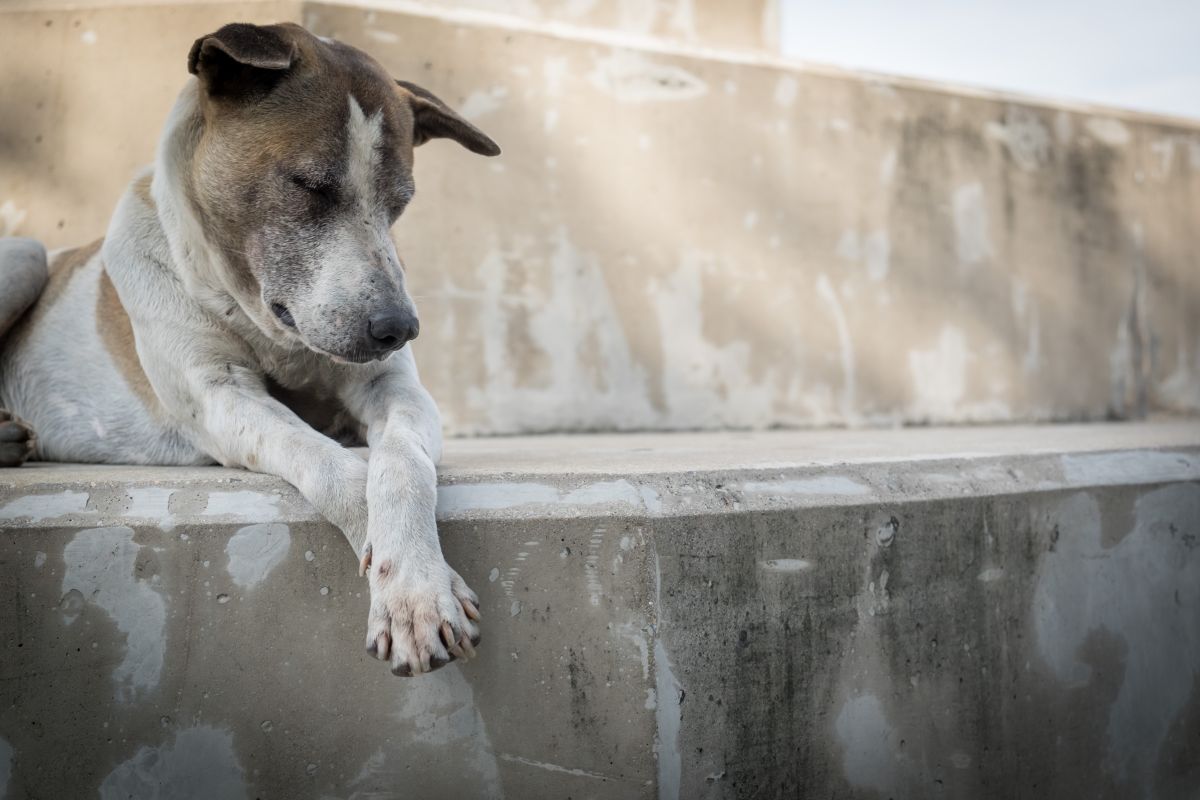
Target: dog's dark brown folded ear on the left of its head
241 58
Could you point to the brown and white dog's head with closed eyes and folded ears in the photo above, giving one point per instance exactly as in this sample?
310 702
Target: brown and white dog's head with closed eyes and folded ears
303 165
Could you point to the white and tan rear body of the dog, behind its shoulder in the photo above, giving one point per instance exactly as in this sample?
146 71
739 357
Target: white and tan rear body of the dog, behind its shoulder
63 335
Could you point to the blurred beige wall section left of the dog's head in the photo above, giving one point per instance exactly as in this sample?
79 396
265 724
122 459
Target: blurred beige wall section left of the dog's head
83 97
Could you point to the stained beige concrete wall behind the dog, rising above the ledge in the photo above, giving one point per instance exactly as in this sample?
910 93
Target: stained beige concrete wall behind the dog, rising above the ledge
681 240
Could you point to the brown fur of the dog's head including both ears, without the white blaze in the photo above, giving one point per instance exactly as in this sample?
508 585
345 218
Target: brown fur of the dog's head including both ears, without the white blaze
280 121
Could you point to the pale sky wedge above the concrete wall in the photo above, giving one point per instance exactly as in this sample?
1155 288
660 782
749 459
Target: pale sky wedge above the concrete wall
1142 55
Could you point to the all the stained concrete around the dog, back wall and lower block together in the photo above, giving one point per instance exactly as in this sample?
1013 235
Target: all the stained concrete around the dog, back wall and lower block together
685 233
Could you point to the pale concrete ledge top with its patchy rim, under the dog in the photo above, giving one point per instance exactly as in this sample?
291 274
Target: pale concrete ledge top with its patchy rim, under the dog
646 476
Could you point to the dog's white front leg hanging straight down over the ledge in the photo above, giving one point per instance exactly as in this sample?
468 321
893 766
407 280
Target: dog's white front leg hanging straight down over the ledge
423 613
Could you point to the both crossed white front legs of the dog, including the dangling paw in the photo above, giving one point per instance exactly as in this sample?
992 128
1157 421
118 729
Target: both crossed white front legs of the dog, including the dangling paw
422 611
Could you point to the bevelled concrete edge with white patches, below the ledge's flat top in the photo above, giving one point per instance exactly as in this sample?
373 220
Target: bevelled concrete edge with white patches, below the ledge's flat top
171 497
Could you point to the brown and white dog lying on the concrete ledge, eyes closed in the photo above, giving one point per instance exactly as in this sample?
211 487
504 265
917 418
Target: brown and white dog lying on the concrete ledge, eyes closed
248 308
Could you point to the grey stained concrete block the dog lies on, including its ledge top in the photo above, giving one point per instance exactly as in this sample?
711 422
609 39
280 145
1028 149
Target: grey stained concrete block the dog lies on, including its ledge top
986 613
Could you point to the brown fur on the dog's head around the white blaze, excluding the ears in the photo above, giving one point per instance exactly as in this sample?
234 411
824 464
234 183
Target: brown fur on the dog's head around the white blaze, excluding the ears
257 152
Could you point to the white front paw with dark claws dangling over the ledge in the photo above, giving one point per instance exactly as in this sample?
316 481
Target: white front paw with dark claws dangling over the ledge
423 615
